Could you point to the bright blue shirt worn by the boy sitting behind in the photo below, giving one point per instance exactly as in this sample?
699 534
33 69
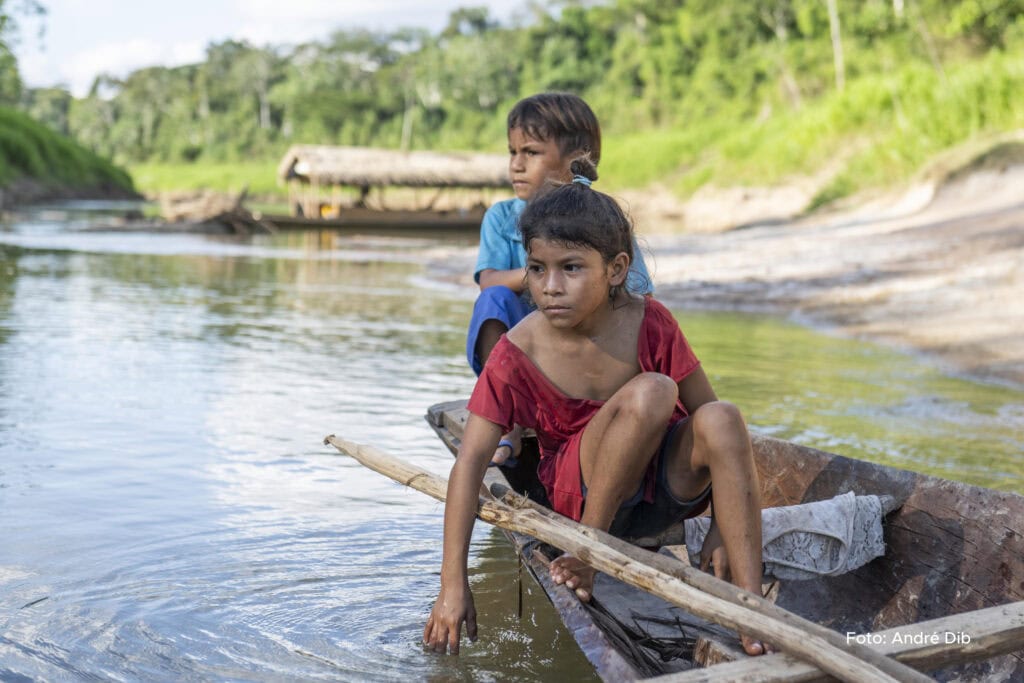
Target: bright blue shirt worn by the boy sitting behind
501 246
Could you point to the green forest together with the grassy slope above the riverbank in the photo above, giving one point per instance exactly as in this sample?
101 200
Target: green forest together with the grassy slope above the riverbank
689 92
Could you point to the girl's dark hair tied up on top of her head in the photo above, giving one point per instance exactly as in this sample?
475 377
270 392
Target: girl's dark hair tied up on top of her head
576 216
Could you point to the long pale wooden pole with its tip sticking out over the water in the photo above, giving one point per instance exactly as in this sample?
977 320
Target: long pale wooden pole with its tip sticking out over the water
743 611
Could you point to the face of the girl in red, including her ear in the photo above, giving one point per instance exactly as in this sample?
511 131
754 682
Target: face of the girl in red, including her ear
571 284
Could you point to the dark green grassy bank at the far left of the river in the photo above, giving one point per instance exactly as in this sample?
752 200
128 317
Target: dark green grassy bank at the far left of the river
30 150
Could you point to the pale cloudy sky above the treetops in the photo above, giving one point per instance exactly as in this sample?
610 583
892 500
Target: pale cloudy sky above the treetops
84 38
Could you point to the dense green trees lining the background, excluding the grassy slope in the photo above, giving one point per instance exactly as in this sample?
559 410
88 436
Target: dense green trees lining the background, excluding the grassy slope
643 64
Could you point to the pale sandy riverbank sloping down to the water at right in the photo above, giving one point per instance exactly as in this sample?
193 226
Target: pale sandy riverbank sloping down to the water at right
941 272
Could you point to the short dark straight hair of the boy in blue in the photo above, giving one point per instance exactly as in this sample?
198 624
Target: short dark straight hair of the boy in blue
562 117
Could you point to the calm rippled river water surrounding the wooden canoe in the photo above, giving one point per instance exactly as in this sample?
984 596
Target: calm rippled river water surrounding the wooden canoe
169 513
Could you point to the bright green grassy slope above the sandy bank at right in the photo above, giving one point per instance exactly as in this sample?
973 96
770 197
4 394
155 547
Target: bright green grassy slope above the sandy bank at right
880 132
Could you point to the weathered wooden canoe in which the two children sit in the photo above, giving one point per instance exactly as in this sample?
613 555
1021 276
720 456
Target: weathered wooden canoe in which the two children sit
951 548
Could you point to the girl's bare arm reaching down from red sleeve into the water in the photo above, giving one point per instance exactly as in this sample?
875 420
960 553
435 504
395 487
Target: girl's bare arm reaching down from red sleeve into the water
455 604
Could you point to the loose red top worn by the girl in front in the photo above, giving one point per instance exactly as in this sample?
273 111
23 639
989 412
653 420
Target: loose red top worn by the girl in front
513 391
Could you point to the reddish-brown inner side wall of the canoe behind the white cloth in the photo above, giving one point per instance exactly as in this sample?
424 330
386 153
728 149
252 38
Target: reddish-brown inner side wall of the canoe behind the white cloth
951 547
